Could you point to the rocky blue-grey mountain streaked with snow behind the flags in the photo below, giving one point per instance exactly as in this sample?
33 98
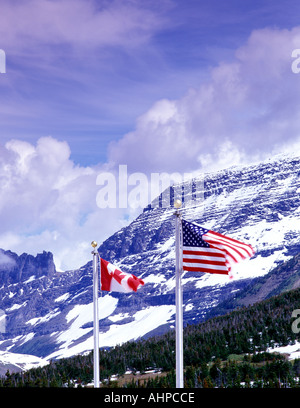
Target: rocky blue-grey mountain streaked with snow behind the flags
49 314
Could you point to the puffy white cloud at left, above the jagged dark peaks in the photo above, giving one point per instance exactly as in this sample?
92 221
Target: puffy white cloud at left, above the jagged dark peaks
48 203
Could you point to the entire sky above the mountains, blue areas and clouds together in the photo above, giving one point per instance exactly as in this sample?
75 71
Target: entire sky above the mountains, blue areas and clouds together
94 84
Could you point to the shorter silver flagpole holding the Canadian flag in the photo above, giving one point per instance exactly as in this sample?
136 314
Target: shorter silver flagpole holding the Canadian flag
96 317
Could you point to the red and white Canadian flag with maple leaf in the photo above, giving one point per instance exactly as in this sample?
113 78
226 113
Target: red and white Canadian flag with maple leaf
114 280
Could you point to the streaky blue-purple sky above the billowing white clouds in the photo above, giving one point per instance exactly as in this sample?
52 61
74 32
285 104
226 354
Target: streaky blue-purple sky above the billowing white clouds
71 83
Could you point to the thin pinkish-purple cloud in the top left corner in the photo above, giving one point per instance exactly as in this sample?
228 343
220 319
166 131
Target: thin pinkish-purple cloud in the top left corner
79 23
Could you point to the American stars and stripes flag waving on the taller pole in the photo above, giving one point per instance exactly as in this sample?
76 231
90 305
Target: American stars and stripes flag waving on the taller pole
209 251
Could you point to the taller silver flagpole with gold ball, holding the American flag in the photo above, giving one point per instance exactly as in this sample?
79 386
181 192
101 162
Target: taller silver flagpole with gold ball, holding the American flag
178 297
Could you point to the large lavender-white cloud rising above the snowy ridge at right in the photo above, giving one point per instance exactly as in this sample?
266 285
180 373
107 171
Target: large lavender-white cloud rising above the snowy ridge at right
246 110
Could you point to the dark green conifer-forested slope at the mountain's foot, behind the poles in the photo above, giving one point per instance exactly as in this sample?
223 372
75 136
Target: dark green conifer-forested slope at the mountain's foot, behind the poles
250 330
